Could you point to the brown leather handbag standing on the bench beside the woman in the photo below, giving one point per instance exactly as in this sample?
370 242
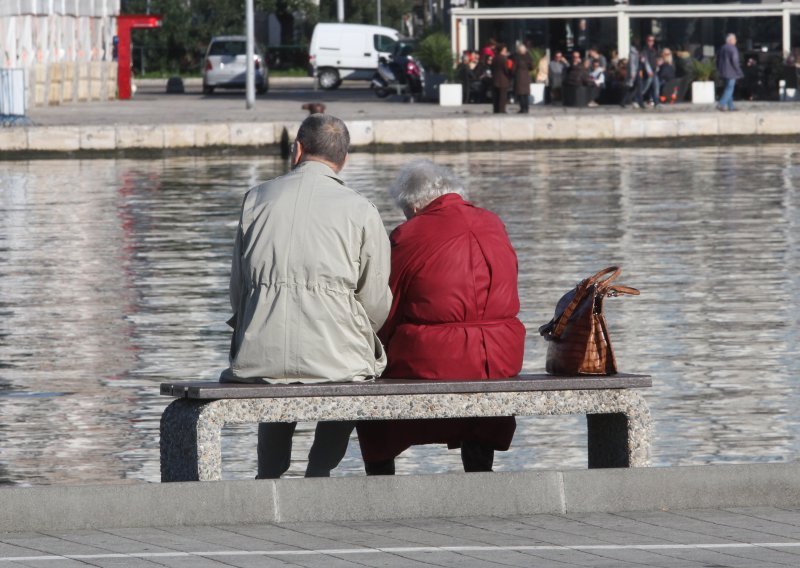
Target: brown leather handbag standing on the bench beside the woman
577 336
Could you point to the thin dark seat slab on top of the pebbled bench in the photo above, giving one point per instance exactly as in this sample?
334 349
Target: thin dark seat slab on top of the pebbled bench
212 390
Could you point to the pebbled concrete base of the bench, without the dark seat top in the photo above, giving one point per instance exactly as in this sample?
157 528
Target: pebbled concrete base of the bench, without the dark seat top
619 423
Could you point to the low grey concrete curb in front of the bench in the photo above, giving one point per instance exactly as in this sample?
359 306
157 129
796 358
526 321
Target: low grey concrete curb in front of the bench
363 498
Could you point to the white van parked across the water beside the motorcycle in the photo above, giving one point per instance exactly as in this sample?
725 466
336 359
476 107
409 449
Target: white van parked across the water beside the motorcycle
341 52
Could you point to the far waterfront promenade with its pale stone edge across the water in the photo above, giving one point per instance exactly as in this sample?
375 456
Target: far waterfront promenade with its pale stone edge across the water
156 121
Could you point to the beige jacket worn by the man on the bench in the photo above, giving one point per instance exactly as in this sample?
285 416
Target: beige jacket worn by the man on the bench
309 282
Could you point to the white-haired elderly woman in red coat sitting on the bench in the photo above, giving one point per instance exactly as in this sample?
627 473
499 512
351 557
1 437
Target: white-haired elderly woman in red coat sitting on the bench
454 315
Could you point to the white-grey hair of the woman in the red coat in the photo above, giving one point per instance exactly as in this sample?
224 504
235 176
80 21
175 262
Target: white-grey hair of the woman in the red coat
421 181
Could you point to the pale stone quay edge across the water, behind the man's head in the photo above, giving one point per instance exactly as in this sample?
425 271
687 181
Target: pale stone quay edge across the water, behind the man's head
373 134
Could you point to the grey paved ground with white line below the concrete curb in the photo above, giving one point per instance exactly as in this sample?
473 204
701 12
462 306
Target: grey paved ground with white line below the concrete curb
735 537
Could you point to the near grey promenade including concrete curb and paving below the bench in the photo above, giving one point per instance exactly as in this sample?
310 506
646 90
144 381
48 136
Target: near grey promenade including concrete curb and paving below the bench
739 515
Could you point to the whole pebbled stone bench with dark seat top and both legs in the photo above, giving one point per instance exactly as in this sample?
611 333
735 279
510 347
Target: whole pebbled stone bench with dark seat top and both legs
617 416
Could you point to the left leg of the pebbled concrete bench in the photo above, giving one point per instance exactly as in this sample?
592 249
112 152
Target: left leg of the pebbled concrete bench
190 442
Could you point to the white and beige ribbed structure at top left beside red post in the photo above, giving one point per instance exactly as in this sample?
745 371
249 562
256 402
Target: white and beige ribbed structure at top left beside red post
64 47
